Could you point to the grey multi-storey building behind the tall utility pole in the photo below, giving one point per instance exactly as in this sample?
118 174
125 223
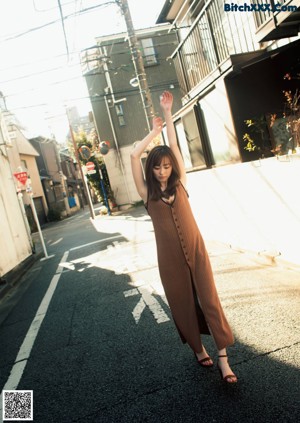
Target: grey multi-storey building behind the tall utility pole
120 115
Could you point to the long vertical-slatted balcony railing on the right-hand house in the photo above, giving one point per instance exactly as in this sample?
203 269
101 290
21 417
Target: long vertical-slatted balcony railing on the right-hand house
215 35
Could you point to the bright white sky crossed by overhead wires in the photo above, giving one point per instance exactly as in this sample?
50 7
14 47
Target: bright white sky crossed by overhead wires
40 73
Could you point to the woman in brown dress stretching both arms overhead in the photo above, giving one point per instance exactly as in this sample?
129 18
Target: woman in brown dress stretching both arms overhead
183 261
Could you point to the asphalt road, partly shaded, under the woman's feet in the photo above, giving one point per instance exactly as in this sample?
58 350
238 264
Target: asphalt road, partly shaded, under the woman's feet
90 332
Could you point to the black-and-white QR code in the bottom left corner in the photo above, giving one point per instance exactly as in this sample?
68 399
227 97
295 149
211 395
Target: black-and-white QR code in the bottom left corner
17 405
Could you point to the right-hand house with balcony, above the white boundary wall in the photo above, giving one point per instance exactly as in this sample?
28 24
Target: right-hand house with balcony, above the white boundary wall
229 70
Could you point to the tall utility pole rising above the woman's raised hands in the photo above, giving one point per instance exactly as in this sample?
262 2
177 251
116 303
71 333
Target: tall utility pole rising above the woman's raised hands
138 63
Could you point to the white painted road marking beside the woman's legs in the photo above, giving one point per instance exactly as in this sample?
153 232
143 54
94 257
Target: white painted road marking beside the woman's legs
147 299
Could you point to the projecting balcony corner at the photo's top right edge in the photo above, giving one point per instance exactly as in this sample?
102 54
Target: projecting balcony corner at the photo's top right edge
276 20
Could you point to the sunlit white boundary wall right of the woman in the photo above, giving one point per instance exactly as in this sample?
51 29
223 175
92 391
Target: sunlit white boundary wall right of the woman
254 206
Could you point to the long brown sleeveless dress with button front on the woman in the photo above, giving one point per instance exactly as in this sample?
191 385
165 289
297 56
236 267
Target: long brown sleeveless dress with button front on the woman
186 273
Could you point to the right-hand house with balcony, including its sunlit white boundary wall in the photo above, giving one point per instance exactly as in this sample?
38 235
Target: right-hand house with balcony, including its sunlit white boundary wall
236 65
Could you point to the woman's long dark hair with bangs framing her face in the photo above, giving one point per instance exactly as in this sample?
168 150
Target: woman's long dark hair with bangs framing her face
154 158
